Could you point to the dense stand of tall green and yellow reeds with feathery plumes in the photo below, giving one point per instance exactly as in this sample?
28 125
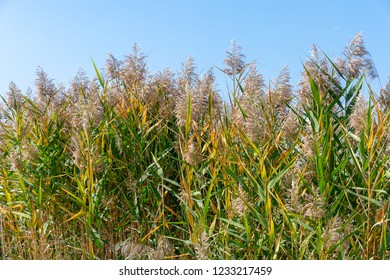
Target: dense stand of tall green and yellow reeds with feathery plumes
130 165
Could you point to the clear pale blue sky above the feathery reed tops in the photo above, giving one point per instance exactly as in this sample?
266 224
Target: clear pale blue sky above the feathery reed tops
62 36
